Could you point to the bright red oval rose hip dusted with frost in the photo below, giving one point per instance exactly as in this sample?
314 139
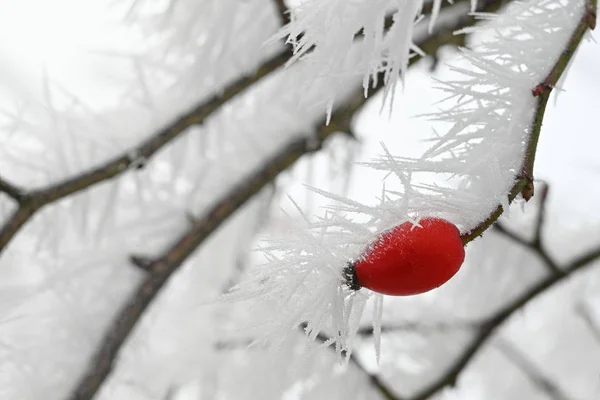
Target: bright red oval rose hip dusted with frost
411 259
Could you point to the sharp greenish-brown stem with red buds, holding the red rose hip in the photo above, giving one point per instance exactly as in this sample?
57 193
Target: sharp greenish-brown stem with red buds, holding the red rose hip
524 183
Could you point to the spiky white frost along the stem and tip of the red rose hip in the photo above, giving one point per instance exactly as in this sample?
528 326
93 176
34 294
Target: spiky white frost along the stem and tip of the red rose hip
490 115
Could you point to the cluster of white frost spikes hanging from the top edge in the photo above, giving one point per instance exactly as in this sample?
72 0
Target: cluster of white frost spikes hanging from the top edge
332 25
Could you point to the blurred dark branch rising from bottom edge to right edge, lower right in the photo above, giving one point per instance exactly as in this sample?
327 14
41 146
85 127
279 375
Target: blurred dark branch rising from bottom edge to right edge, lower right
488 328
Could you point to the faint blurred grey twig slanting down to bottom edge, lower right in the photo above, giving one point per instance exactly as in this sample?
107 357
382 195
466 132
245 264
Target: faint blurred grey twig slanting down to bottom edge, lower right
534 374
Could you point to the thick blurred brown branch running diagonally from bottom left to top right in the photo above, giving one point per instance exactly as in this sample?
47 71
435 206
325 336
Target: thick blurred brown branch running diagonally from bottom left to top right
162 268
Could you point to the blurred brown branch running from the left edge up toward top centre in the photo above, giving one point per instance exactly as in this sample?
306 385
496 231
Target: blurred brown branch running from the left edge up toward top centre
36 199
